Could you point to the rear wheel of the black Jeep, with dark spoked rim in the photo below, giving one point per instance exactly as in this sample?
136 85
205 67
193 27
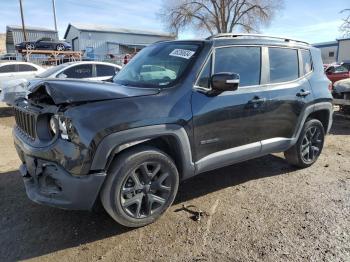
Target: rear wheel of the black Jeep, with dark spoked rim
304 154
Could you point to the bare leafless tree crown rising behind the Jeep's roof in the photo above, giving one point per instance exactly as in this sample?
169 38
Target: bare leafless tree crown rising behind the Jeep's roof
219 16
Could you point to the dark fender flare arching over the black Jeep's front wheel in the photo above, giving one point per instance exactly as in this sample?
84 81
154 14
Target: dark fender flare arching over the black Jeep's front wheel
116 142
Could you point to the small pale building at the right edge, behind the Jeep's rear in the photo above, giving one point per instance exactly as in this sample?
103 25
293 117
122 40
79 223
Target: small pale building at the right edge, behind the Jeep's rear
335 51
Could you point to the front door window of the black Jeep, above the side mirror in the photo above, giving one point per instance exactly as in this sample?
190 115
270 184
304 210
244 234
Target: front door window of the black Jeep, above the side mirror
244 61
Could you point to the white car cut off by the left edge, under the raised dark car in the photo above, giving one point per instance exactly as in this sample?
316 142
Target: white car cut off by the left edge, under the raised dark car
18 70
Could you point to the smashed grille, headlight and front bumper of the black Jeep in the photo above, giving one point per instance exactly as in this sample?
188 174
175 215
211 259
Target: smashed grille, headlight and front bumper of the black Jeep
55 163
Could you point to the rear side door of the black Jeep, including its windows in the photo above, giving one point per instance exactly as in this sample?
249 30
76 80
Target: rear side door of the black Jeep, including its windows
289 91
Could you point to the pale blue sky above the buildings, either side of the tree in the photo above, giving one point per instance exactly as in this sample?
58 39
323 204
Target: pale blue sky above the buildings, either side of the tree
312 21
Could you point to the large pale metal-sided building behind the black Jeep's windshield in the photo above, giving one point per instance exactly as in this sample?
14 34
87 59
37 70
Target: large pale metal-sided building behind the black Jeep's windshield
99 42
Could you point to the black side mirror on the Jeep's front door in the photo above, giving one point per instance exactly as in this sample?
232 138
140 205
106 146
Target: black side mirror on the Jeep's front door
222 82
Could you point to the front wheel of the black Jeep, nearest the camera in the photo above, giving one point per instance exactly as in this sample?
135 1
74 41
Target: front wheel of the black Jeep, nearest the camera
140 186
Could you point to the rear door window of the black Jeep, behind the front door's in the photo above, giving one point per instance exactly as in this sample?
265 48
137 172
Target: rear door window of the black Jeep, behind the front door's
284 65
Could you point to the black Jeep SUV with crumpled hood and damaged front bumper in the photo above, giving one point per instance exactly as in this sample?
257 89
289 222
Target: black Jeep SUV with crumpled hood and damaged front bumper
178 109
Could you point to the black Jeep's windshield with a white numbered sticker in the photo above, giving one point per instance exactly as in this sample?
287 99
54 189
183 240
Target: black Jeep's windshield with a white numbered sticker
158 65
